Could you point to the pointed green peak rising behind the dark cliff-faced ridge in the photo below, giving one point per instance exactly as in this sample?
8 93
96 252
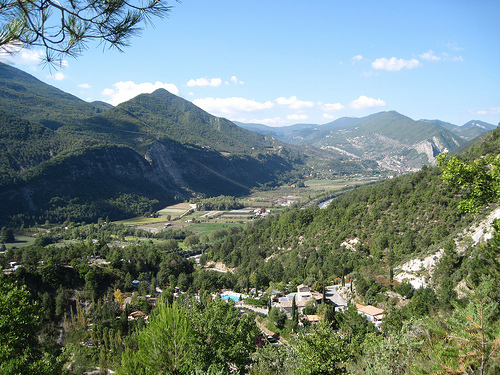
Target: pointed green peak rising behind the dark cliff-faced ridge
162 114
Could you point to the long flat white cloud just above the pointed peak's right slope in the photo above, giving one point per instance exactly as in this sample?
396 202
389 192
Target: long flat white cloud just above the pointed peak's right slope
231 105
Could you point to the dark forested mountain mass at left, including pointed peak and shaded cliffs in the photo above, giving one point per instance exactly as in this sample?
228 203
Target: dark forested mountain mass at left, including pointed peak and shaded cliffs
63 158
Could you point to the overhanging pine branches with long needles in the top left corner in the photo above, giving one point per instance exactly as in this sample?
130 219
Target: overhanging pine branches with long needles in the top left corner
65 27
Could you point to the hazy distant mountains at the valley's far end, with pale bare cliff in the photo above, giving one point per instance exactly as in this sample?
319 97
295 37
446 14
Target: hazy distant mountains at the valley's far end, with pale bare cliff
394 141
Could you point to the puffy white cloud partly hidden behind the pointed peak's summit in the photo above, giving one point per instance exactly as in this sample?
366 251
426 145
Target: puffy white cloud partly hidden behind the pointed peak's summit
124 91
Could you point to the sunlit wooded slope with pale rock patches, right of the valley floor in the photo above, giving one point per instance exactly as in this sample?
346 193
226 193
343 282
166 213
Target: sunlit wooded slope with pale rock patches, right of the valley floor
388 222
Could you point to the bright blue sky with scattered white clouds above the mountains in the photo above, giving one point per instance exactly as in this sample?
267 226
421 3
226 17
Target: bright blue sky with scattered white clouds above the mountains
285 62
